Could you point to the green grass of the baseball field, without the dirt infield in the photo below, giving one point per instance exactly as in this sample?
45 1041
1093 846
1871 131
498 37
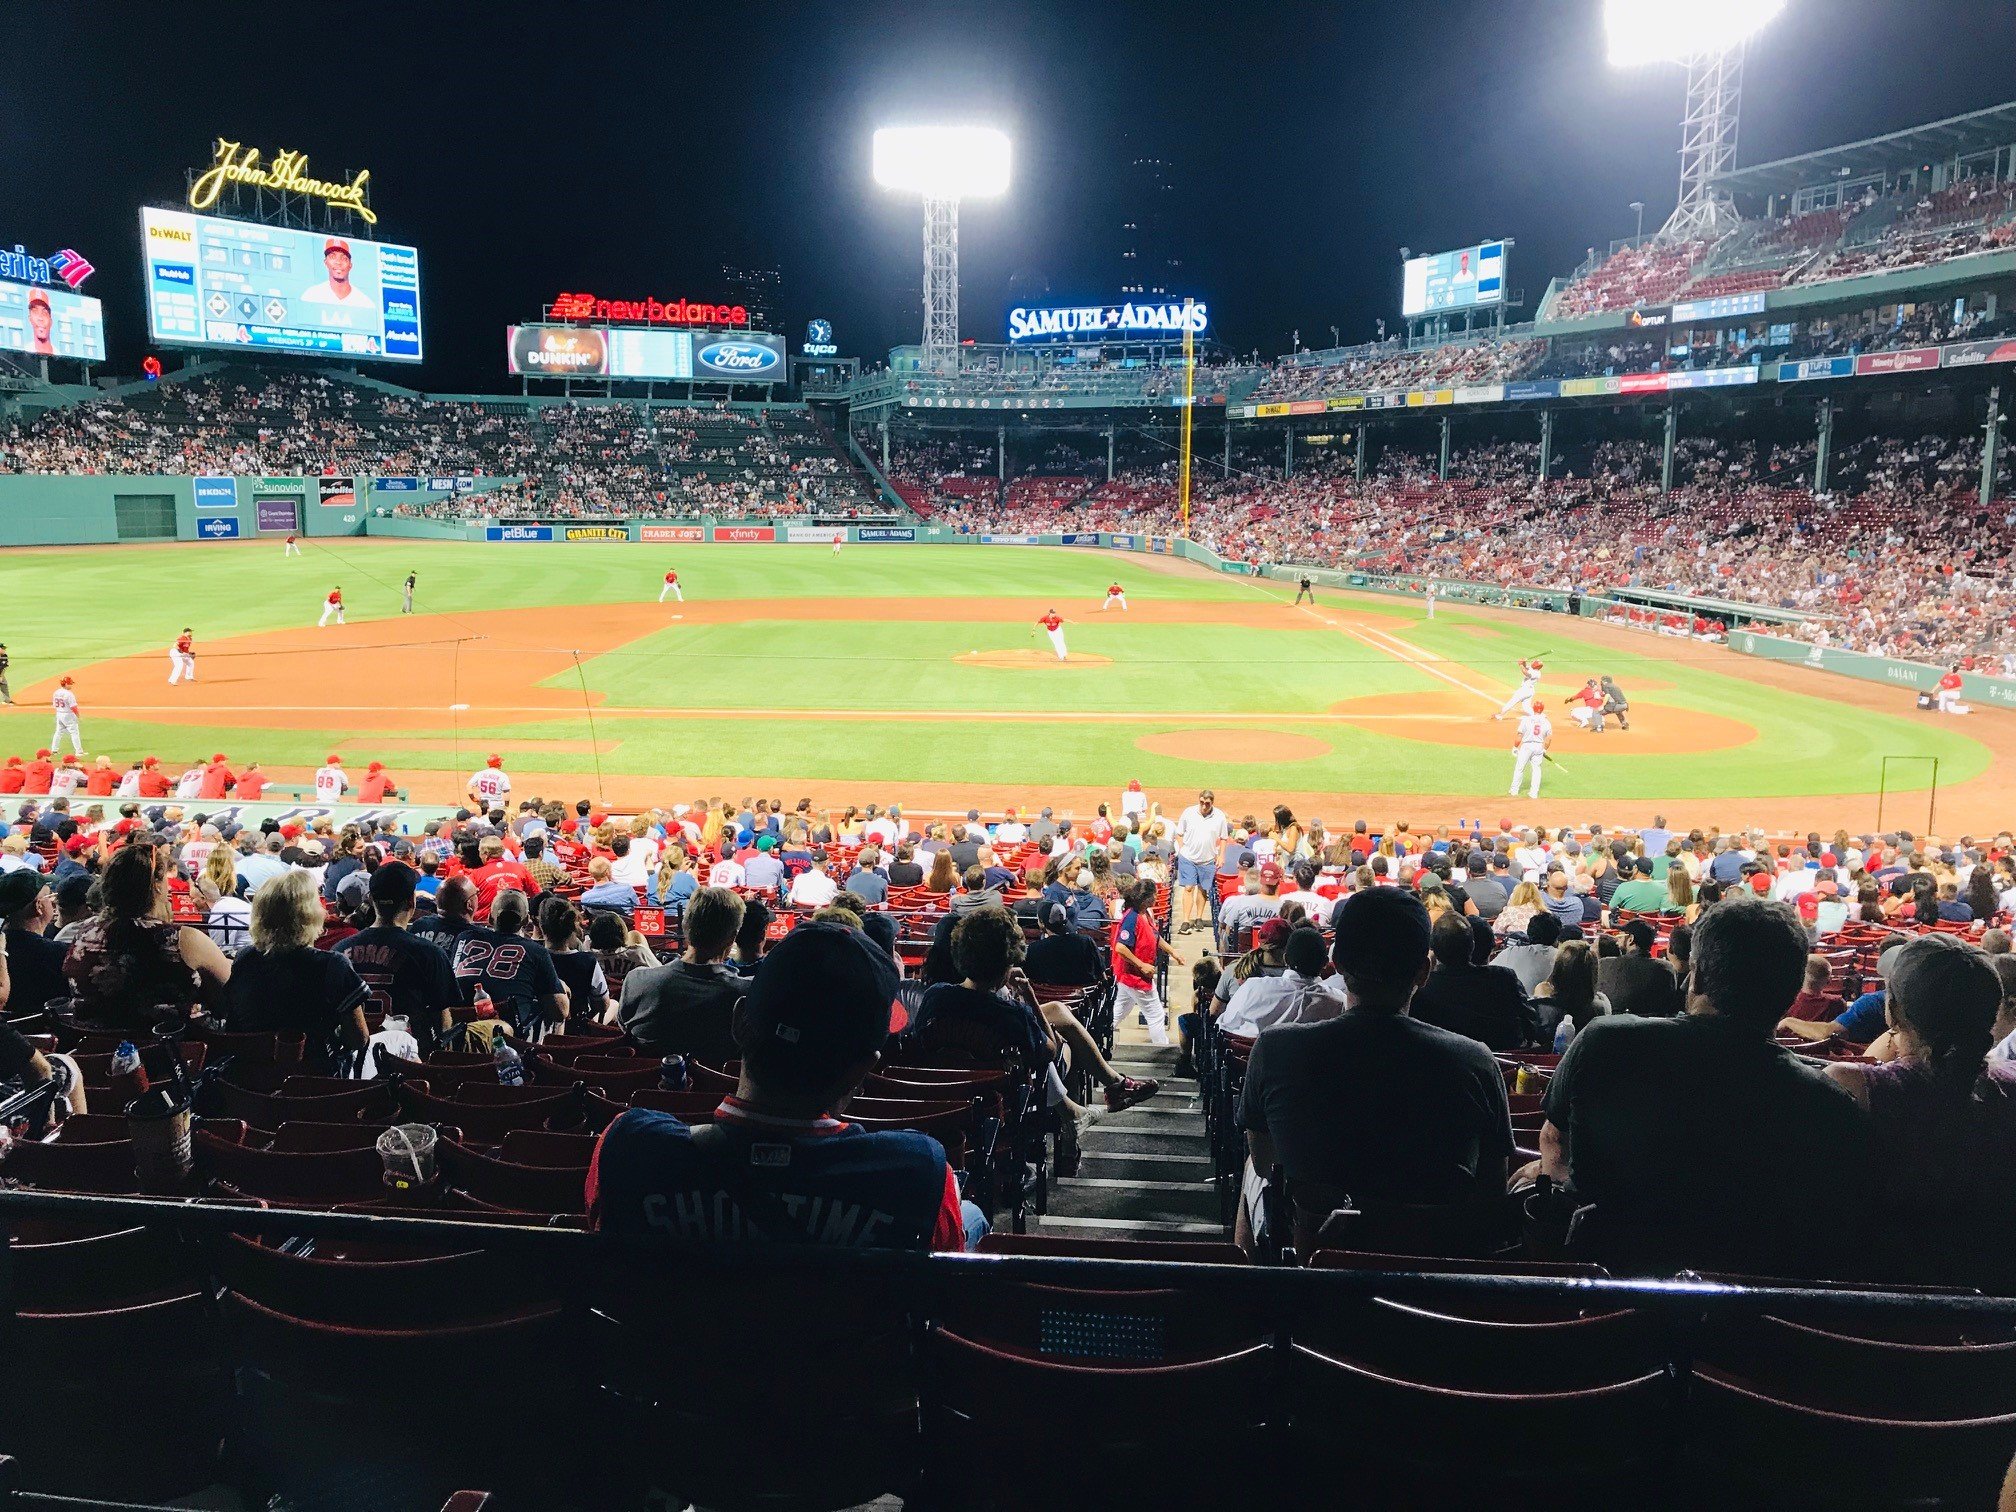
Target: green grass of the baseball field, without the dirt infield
66 610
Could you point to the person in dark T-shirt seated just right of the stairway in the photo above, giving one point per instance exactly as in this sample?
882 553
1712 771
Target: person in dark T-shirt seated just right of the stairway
1376 1106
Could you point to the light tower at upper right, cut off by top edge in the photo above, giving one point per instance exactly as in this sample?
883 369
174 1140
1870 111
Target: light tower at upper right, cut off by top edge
1709 39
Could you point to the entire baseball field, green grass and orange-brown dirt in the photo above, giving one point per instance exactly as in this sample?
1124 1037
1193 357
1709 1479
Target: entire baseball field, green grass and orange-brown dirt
920 674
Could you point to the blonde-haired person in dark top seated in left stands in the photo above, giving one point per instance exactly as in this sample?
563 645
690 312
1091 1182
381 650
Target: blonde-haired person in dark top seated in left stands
285 985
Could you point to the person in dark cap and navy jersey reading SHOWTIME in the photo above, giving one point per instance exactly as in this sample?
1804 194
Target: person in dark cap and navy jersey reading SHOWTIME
779 1160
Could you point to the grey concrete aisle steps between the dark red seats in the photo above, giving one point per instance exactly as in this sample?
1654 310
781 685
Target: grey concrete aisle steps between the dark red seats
1146 1174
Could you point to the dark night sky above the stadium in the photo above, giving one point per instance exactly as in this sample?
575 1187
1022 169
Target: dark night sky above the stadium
634 148
